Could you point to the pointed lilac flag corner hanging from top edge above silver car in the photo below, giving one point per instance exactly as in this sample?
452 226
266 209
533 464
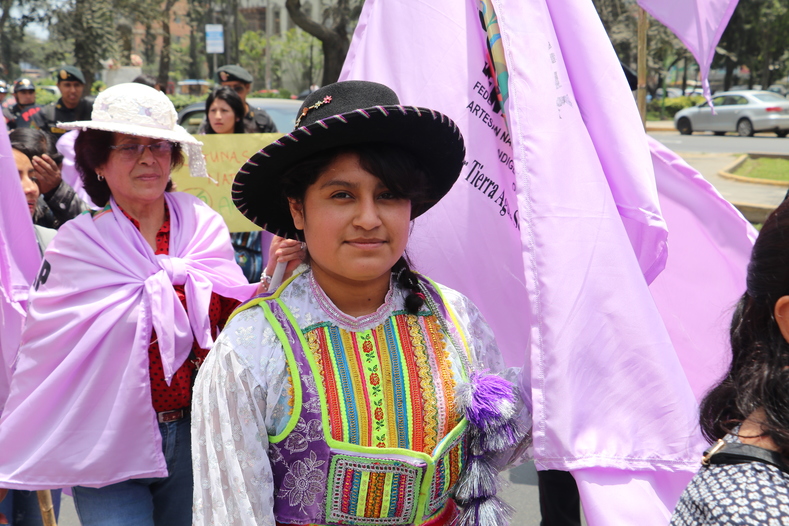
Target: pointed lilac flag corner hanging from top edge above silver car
699 24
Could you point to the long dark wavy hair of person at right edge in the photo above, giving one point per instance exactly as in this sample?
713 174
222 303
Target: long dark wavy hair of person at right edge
758 377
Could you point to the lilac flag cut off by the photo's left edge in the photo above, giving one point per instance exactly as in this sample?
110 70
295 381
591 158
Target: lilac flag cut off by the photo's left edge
19 260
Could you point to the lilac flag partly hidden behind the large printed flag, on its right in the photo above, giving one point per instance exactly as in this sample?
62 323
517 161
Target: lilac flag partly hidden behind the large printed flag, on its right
710 244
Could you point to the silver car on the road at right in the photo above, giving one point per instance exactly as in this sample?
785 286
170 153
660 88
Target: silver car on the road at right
744 112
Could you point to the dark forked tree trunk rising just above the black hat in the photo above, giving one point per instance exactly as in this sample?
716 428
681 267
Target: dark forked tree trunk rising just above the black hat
334 32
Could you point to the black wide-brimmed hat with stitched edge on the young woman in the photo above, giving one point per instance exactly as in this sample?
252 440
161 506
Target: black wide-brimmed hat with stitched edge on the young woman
348 113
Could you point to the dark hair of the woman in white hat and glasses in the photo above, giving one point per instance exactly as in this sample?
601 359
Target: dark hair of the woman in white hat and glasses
92 150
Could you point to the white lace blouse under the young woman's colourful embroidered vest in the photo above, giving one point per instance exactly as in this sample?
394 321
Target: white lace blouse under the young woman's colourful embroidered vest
242 394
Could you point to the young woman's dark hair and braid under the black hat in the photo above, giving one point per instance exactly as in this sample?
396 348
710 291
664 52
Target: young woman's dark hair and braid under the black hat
400 172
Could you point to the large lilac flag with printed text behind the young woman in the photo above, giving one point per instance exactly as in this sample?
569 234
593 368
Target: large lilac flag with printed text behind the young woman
553 230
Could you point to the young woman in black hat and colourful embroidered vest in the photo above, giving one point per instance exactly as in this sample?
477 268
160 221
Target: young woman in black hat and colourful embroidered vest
356 393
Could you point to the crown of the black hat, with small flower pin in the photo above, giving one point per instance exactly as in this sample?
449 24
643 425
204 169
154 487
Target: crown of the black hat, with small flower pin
344 97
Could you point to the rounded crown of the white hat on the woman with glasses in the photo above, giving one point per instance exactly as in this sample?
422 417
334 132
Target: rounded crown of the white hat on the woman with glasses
135 104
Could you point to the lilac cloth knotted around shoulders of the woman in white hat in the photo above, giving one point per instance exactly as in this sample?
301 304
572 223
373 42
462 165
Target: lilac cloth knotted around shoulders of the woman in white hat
80 410
